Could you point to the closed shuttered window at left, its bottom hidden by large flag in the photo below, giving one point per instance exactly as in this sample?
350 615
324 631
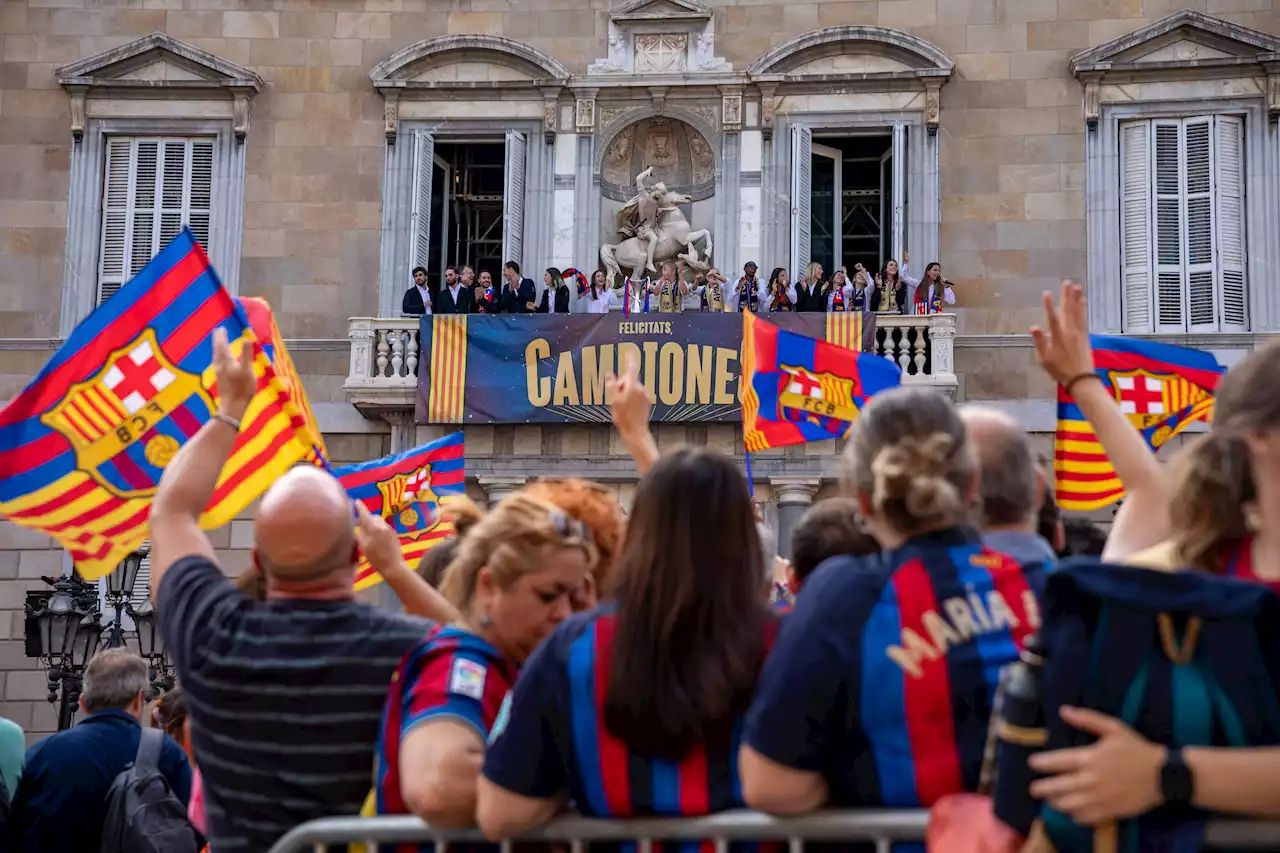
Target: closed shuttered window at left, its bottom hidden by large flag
154 188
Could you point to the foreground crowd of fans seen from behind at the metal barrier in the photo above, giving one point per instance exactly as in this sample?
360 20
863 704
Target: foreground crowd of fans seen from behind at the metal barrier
559 654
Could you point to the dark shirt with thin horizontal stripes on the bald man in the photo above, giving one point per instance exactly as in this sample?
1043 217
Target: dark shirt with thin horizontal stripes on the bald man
286 700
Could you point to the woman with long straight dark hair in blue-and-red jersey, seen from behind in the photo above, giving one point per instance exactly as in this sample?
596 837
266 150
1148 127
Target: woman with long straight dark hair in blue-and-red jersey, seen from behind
634 708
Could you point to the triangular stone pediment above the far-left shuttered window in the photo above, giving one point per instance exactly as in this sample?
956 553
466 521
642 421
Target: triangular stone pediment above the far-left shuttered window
158 67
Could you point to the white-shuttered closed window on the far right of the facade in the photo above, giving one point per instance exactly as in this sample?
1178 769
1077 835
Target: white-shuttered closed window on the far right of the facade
1182 223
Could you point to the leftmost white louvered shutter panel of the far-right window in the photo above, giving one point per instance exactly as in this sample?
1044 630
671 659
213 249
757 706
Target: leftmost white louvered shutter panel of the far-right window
1136 225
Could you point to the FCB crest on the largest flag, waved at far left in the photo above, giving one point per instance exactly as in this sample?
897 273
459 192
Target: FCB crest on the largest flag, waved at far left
129 421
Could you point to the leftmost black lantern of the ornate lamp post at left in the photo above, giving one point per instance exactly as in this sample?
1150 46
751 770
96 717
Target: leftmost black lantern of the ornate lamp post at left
63 631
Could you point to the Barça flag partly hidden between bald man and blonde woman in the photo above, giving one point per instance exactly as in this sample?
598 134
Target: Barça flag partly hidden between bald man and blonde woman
409 490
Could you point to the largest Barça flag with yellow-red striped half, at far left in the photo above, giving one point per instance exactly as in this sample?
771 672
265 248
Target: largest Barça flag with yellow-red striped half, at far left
86 443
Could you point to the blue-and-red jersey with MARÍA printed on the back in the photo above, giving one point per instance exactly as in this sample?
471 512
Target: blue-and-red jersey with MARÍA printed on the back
885 672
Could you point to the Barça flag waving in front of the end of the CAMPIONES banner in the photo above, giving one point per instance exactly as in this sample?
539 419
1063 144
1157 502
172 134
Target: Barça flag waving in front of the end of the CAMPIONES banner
799 390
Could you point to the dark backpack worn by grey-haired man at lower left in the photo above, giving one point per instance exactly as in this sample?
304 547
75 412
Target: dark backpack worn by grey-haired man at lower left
143 814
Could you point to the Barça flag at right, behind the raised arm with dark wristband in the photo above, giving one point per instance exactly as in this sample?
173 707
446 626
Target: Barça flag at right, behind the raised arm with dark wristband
1162 389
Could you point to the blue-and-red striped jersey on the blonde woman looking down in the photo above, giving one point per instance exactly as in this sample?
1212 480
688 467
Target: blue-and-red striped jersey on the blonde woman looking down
450 676
